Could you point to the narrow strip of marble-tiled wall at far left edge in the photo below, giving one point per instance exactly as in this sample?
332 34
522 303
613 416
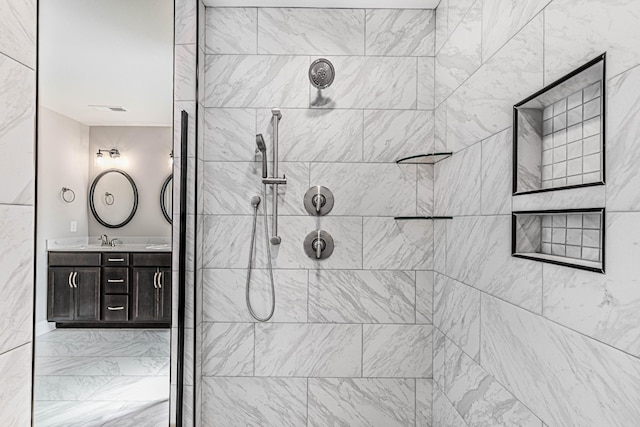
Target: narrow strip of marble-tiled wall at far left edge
17 214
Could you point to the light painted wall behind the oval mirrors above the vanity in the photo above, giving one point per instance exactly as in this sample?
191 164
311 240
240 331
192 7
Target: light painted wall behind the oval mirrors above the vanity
145 157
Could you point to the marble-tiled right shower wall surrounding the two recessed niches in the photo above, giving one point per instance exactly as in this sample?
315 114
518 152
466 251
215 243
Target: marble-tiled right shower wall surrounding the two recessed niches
519 342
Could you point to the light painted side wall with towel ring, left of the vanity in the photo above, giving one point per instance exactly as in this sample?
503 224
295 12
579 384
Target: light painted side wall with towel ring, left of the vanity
63 148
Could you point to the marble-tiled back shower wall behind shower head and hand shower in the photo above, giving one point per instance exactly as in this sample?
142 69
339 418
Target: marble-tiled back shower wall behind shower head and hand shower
350 342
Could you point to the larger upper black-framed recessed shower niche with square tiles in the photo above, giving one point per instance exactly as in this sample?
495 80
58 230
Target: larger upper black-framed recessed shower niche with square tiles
559 133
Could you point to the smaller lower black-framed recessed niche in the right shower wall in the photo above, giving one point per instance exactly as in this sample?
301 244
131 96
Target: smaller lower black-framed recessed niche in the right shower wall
573 238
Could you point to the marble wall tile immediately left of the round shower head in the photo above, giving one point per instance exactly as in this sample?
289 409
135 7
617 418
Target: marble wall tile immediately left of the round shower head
258 81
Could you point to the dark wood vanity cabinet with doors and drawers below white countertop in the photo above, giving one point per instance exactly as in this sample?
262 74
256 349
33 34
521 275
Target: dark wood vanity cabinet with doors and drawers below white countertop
109 288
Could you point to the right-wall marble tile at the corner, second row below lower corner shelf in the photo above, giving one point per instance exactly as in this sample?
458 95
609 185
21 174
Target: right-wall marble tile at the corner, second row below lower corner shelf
456 312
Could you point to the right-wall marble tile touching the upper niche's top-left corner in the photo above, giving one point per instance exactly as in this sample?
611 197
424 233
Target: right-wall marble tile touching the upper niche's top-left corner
483 105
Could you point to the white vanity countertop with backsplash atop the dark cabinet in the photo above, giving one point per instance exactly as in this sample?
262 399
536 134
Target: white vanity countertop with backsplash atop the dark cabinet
123 244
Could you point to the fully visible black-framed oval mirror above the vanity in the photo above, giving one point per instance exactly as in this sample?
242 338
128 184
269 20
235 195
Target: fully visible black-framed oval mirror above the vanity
113 198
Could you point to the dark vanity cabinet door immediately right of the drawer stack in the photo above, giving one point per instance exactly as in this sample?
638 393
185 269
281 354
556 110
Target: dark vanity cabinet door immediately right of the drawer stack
145 294
